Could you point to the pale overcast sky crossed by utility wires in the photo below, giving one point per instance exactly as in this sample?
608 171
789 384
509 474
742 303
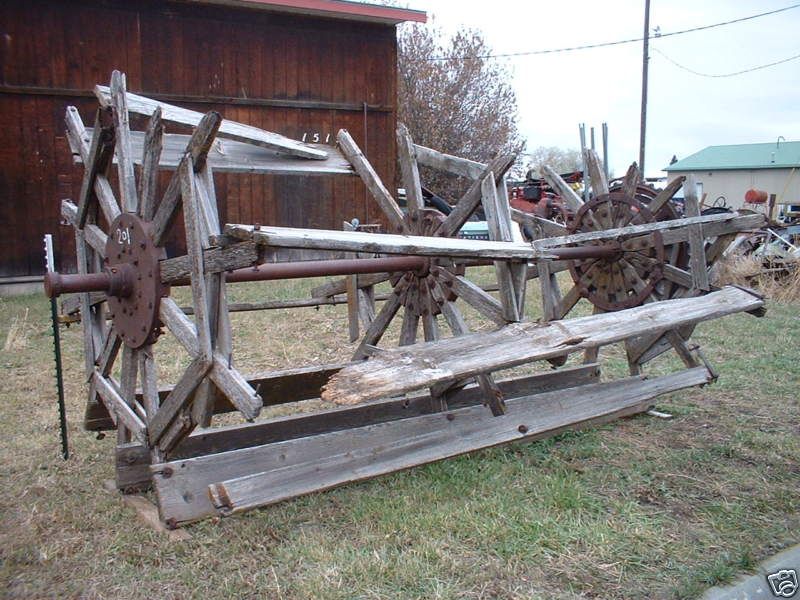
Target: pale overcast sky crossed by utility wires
685 112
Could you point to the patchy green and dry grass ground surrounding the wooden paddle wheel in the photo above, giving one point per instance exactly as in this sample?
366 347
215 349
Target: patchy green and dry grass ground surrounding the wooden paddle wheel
640 508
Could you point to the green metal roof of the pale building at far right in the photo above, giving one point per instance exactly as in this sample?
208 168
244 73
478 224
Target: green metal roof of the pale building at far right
742 156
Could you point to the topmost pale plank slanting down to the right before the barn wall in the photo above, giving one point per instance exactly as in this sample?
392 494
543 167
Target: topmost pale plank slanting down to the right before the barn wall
229 129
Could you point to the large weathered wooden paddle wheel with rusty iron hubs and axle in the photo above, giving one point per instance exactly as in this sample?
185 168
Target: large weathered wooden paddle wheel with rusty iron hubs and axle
644 271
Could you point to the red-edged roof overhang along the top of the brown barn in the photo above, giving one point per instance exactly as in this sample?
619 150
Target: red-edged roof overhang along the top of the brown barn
336 9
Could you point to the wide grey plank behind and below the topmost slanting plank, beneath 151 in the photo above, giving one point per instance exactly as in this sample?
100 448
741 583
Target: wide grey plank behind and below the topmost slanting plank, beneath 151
230 156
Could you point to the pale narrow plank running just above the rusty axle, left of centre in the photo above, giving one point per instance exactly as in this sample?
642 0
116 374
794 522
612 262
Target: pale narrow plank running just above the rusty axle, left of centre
359 241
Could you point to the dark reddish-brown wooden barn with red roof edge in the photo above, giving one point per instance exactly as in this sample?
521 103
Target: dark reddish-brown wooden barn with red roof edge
296 67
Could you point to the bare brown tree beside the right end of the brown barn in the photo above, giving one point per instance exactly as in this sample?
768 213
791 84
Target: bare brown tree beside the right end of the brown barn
454 101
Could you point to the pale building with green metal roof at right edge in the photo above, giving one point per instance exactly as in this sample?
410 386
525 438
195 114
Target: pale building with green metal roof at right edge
727 172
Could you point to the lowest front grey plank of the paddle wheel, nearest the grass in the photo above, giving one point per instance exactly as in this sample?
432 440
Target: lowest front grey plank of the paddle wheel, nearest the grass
316 463
